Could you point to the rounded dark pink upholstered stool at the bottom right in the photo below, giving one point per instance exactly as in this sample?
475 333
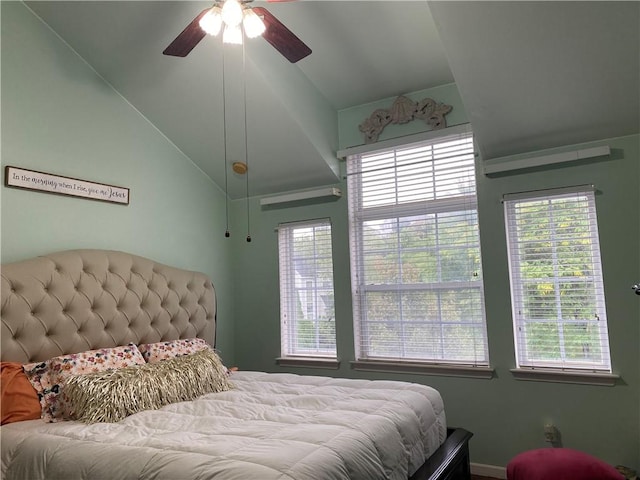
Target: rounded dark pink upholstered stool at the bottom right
559 464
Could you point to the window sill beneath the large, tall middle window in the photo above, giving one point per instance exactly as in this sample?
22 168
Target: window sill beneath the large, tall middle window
423 368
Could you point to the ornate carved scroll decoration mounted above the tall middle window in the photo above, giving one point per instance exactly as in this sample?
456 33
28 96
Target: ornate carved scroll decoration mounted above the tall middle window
402 111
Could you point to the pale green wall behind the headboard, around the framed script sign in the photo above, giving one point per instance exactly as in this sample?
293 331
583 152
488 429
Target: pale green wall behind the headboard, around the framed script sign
60 117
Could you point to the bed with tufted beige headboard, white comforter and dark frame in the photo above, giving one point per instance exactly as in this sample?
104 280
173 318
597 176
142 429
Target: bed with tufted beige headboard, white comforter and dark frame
259 426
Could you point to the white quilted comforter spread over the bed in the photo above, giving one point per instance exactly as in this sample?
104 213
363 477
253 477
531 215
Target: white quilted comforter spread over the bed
271 426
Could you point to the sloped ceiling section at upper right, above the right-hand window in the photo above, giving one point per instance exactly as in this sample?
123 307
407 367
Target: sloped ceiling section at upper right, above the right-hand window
539 75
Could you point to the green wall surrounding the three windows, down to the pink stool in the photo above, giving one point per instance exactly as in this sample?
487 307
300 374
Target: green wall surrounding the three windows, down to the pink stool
506 415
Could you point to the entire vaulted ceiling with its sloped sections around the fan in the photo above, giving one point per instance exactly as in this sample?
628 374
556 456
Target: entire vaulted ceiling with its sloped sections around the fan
532 75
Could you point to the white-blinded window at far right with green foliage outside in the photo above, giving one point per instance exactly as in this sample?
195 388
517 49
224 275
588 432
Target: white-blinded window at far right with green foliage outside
557 292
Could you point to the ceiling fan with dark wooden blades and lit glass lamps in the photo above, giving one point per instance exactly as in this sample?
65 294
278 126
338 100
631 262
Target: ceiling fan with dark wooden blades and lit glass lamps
230 14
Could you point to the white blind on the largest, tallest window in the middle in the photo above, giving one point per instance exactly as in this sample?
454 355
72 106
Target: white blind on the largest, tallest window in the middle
415 254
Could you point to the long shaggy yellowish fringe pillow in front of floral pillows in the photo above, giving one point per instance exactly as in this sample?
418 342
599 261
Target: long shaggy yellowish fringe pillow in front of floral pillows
113 395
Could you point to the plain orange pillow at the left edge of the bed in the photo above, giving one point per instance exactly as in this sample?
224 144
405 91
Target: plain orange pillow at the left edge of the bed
19 399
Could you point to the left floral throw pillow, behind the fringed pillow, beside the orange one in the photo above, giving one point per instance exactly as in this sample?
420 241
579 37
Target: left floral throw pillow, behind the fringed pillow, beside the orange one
91 361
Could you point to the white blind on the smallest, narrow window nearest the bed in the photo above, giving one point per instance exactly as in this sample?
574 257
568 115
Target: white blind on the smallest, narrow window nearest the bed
307 316
